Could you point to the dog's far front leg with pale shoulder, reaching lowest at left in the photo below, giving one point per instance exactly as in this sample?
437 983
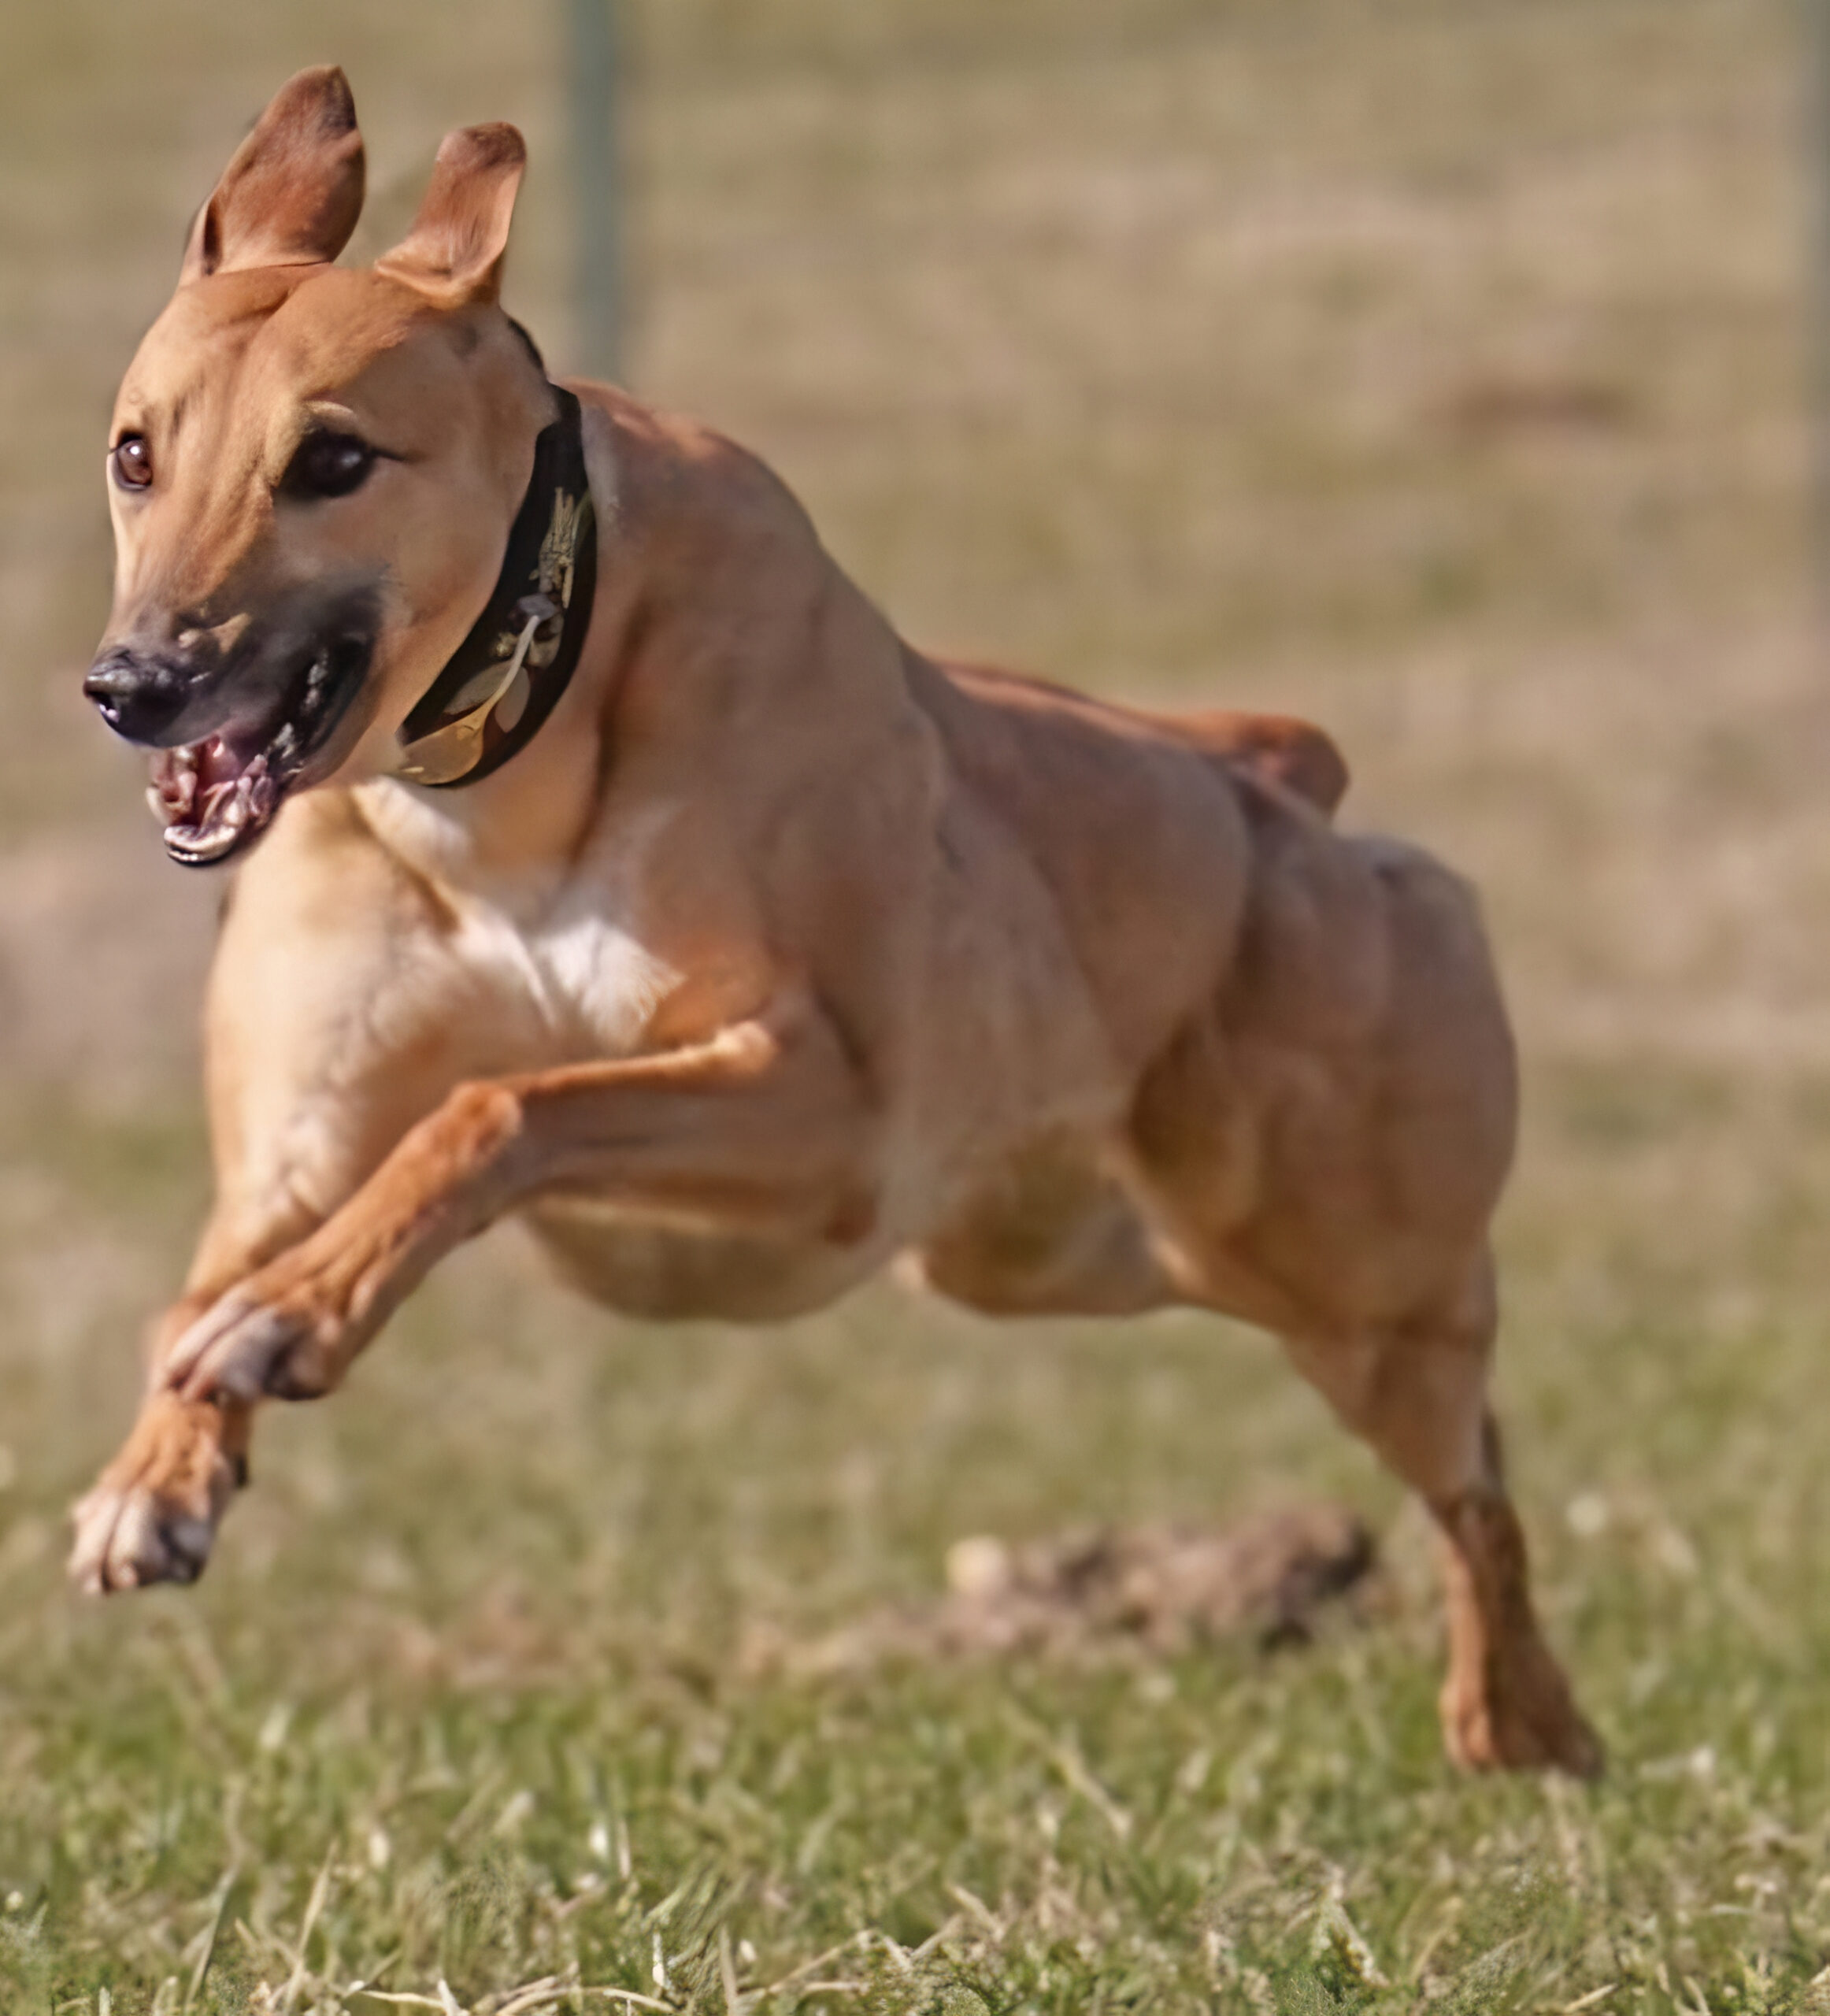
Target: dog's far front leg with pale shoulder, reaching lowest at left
340 1017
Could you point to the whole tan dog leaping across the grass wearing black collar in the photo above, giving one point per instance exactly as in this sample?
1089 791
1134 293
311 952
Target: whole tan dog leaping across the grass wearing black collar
622 870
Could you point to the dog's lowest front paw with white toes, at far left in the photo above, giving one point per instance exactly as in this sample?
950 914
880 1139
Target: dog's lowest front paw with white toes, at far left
154 1511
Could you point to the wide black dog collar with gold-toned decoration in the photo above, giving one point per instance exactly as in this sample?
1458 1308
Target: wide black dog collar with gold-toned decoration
507 676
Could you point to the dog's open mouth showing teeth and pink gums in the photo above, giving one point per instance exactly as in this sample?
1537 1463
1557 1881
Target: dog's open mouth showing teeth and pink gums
215 797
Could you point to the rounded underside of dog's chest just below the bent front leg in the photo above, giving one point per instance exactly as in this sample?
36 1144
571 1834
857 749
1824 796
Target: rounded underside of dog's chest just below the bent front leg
664 1271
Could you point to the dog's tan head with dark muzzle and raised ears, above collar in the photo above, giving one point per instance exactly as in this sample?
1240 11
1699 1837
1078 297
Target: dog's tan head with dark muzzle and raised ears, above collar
311 471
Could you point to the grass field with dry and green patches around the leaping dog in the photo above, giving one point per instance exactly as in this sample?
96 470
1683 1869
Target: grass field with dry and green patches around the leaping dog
1436 372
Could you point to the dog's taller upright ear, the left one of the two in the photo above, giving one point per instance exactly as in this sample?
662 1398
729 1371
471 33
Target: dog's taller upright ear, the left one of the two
295 188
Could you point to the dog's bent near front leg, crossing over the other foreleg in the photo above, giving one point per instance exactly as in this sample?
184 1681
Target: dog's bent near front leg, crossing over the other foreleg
763 1128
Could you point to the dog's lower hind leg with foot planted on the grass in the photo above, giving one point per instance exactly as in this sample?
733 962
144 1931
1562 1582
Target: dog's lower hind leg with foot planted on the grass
1418 1394
